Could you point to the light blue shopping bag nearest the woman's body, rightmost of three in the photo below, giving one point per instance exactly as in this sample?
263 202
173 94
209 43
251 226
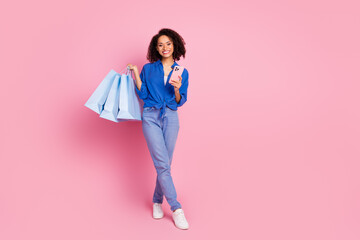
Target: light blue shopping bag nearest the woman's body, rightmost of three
129 106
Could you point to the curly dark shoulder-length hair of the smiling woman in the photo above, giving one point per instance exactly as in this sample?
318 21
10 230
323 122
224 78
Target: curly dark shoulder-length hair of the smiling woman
178 42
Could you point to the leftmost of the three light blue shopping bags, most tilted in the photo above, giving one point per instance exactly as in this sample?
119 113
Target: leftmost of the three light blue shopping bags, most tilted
97 100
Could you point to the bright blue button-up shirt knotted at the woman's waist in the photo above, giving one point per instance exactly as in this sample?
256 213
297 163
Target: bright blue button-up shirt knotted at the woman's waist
154 93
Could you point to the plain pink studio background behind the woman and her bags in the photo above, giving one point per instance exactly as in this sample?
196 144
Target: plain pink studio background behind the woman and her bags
269 138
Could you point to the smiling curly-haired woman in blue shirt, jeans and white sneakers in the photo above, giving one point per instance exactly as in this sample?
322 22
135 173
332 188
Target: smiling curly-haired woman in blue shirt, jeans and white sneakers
160 120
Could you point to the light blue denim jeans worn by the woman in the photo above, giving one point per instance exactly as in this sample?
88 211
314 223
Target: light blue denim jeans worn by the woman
161 133
